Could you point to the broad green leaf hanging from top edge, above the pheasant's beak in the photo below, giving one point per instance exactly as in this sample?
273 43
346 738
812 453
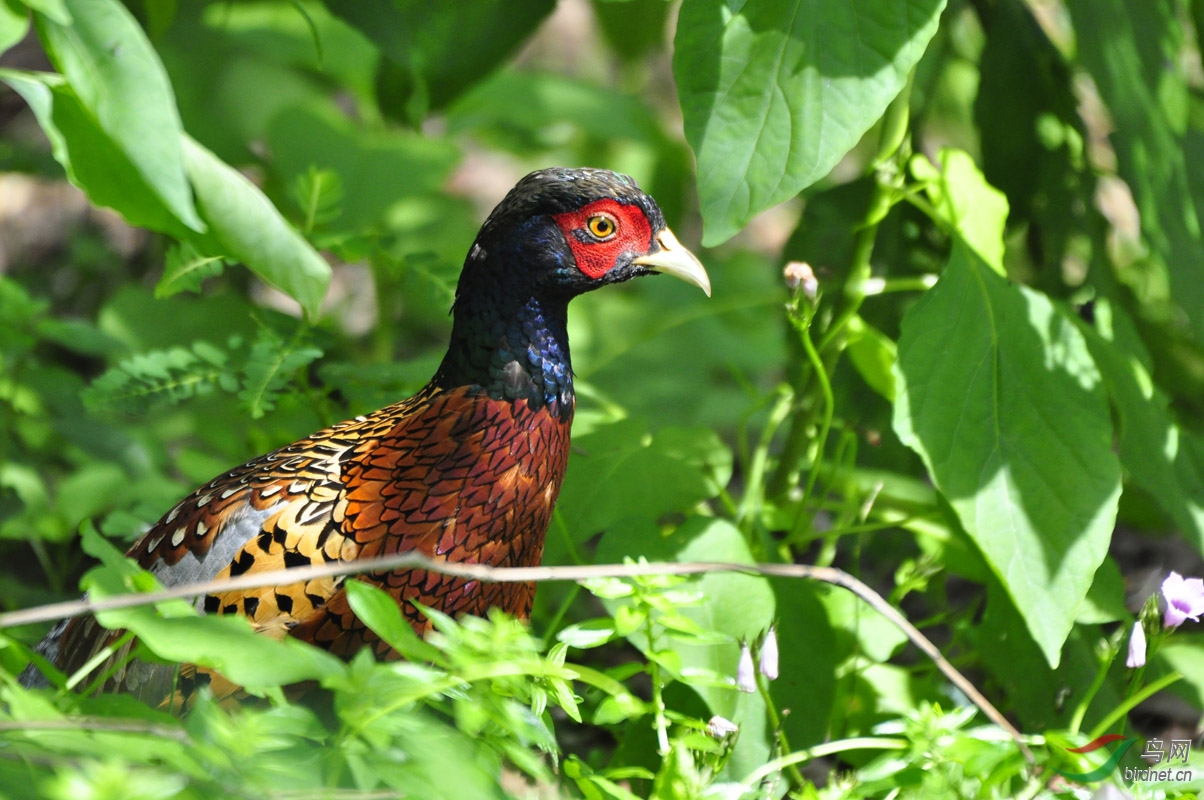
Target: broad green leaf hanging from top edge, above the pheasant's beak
776 92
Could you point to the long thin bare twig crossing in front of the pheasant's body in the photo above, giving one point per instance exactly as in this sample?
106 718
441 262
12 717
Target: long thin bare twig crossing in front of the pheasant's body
522 575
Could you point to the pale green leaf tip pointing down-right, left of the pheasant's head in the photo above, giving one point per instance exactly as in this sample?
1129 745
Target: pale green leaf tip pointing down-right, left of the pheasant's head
249 228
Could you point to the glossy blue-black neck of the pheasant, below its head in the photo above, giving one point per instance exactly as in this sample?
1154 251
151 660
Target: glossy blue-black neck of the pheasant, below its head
512 345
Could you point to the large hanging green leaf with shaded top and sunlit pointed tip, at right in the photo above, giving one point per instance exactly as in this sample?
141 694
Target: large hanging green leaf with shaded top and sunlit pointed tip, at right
999 396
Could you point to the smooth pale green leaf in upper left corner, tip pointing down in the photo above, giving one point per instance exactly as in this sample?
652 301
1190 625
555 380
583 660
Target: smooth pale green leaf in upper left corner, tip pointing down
123 86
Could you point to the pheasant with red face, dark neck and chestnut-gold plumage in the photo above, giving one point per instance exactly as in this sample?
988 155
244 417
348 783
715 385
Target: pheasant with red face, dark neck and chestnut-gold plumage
467 470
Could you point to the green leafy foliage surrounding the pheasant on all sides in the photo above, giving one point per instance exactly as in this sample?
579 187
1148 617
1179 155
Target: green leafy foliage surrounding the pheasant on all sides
1012 455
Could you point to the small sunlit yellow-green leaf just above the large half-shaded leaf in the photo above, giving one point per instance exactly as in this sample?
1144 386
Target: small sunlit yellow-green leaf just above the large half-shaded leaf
966 203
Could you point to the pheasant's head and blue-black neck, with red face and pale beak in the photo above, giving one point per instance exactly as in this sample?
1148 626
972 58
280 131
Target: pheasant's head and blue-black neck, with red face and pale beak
558 234
